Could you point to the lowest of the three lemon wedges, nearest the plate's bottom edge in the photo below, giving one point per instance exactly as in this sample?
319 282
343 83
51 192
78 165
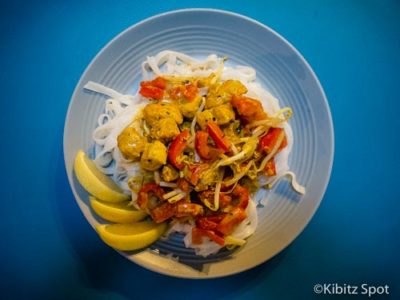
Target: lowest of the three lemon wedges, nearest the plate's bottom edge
132 236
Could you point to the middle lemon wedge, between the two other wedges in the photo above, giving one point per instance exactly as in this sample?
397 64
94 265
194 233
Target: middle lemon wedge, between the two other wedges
119 212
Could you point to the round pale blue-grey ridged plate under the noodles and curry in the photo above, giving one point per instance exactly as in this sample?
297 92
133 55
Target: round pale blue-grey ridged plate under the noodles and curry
280 68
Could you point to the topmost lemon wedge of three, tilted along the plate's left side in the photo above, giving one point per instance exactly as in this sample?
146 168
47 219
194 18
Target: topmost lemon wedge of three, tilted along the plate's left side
95 182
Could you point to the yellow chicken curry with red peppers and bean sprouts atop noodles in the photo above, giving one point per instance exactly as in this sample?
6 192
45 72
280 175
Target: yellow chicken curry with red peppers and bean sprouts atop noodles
203 144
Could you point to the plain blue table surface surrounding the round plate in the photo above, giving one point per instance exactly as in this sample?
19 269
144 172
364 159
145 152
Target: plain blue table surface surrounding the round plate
49 250
